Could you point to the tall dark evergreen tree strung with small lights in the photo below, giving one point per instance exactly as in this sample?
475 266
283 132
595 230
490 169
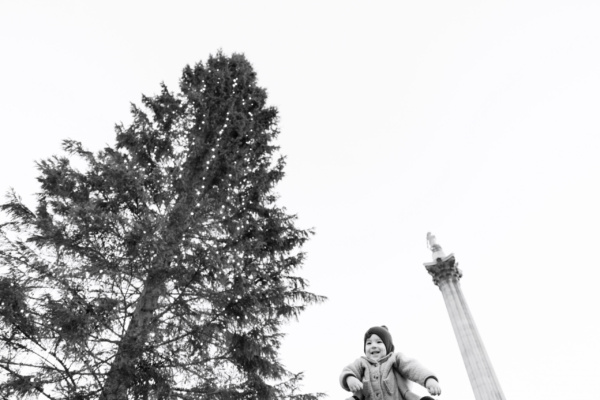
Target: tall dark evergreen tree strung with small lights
163 268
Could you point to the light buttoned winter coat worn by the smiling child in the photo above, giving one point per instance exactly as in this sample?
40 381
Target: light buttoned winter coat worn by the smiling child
378 377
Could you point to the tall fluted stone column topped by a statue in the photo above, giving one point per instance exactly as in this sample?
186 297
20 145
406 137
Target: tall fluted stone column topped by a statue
446 275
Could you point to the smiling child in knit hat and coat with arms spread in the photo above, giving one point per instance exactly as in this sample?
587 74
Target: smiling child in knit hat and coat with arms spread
382 374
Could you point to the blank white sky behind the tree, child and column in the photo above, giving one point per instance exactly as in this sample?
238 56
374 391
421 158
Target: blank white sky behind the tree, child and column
475 120
